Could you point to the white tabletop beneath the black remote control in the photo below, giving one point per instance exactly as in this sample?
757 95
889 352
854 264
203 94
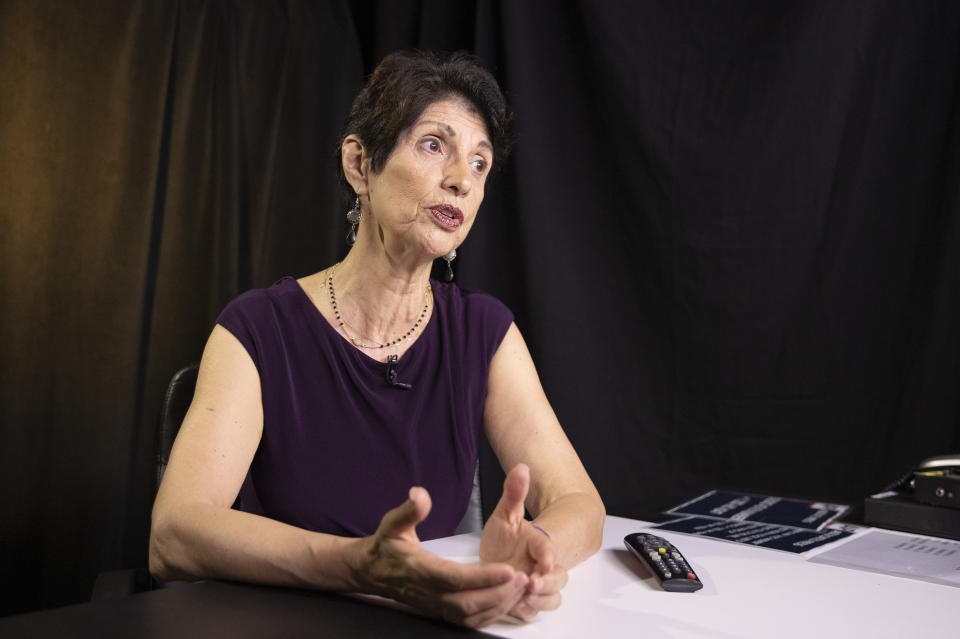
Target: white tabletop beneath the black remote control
747 592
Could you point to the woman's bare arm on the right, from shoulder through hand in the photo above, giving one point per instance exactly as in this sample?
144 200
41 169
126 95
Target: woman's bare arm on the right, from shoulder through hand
545 475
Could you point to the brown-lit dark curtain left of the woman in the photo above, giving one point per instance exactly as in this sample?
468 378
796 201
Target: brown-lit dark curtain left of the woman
153 155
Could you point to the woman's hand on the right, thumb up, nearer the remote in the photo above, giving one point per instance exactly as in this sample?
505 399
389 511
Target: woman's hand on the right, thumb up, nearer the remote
509 538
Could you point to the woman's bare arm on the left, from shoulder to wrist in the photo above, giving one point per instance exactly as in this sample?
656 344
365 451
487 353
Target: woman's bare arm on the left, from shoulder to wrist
195 534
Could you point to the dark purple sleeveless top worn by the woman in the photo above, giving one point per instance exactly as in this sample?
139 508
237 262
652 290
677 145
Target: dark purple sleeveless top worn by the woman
340 445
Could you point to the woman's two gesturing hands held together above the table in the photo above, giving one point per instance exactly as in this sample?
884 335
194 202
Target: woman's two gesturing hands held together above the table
517 573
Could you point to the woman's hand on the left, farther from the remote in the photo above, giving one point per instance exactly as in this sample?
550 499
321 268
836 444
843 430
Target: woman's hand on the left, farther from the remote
393 564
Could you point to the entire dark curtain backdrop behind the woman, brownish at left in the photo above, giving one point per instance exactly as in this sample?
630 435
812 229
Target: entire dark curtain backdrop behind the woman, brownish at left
729 232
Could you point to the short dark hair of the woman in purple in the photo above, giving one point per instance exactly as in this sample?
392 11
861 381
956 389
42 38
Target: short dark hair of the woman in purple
404 84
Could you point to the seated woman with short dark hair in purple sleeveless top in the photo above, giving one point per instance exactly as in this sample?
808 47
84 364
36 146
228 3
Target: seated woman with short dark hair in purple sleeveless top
324 402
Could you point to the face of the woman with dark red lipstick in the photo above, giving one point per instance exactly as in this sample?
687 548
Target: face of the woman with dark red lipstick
426 197
